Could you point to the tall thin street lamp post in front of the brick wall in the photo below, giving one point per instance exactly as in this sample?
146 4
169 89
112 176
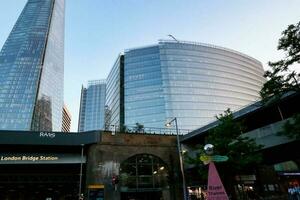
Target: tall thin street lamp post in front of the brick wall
185 197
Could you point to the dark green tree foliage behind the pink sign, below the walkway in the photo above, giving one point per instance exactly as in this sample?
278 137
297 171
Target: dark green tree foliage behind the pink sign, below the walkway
228 140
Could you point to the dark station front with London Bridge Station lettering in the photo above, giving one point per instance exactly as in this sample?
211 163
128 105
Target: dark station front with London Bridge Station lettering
39 165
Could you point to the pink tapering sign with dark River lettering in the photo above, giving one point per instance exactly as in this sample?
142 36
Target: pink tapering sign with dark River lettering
215 188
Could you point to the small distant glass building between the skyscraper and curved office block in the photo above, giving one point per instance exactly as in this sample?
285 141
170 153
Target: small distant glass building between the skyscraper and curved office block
92 106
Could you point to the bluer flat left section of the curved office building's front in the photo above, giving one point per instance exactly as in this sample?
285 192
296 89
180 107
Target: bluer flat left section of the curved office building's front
144 97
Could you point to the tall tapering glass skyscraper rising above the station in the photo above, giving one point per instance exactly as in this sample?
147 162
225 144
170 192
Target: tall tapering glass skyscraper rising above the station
32 69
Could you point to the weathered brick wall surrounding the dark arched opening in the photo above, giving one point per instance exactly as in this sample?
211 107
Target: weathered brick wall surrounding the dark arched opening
105 158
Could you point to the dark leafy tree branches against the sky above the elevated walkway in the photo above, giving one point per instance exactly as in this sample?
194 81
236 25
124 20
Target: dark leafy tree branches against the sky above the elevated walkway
280 77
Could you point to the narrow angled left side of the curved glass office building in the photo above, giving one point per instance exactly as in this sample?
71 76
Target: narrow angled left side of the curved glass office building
114 106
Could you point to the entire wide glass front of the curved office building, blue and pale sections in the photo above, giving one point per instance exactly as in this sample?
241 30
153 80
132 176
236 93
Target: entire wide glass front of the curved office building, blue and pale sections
191 81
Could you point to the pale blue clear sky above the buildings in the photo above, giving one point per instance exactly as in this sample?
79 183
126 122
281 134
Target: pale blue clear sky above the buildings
98 30
